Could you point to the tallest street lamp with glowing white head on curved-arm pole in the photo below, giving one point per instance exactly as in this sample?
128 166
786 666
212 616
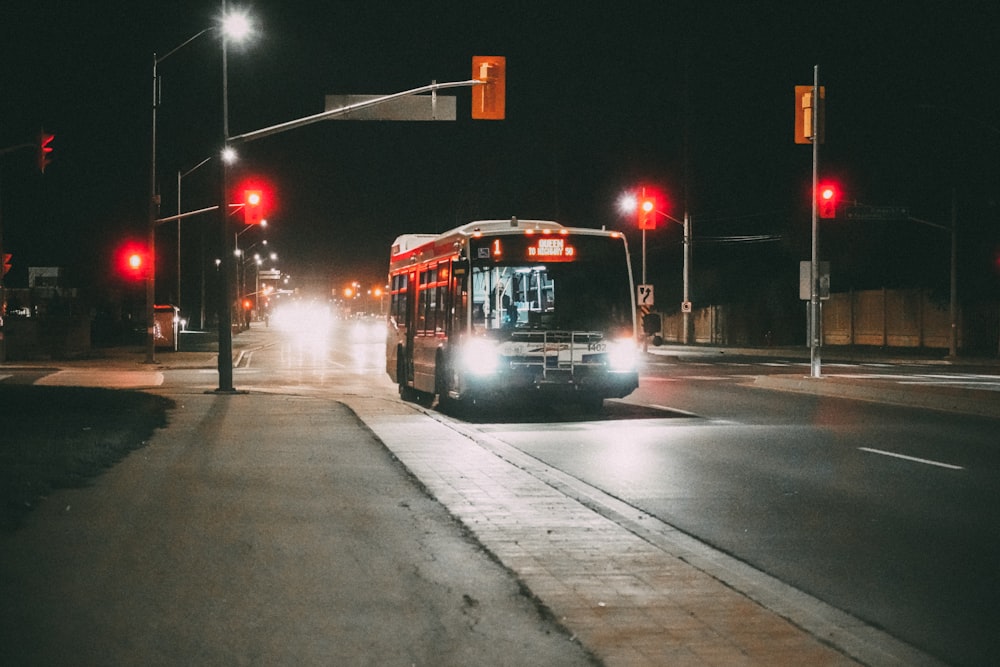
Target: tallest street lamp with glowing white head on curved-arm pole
237 27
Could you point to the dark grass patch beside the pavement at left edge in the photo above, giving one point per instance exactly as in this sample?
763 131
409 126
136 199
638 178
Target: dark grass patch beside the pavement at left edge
64 437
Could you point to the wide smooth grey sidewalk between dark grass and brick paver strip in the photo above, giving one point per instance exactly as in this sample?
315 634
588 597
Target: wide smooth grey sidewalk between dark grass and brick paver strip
261 529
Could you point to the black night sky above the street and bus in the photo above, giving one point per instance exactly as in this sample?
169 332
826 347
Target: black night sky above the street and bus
693 97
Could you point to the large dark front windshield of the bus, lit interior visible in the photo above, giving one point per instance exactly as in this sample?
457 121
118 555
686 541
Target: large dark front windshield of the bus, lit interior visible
589 293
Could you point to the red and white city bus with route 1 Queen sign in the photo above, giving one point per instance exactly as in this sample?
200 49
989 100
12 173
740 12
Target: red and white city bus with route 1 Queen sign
511 310
